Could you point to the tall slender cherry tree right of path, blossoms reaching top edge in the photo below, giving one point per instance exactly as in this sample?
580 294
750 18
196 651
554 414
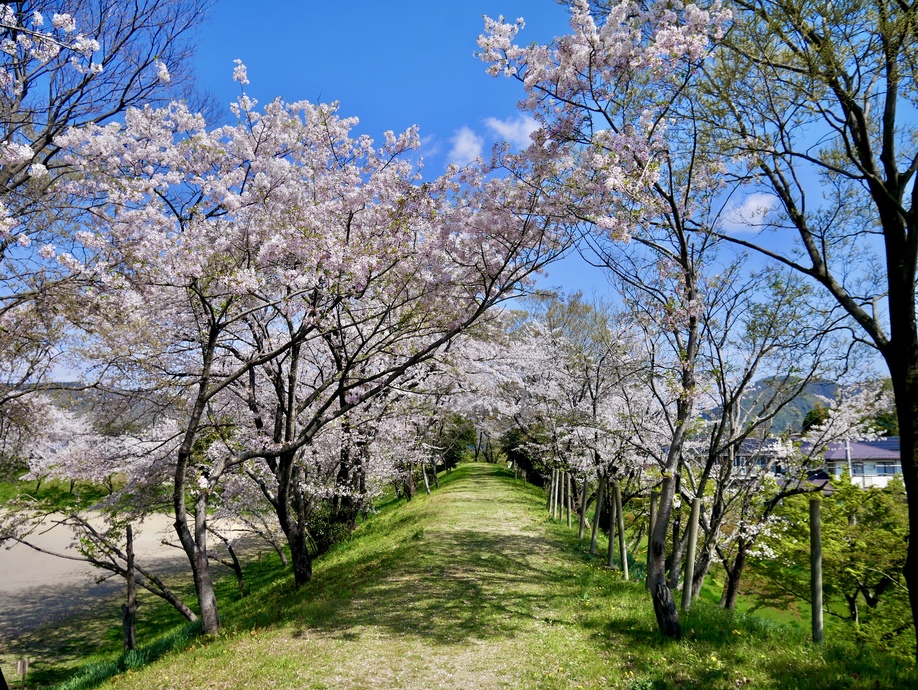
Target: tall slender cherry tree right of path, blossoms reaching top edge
604 96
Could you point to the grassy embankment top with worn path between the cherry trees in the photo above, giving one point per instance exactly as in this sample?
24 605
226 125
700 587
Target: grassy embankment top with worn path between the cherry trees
472 587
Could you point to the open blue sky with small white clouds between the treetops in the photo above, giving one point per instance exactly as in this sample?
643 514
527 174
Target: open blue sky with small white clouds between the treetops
391 64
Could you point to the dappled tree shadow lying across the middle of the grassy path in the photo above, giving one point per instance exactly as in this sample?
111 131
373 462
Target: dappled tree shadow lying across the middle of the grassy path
464 586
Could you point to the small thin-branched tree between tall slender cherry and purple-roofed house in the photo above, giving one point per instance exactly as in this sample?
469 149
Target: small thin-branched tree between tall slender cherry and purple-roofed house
766 339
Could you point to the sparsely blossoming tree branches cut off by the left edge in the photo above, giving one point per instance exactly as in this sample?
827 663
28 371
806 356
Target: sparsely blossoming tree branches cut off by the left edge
58 70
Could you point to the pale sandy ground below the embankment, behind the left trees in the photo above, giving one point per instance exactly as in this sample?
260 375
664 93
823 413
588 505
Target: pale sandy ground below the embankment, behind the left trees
37 588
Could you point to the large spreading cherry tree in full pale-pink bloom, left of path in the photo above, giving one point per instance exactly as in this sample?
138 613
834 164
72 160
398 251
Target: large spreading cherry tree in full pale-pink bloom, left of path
266 278
